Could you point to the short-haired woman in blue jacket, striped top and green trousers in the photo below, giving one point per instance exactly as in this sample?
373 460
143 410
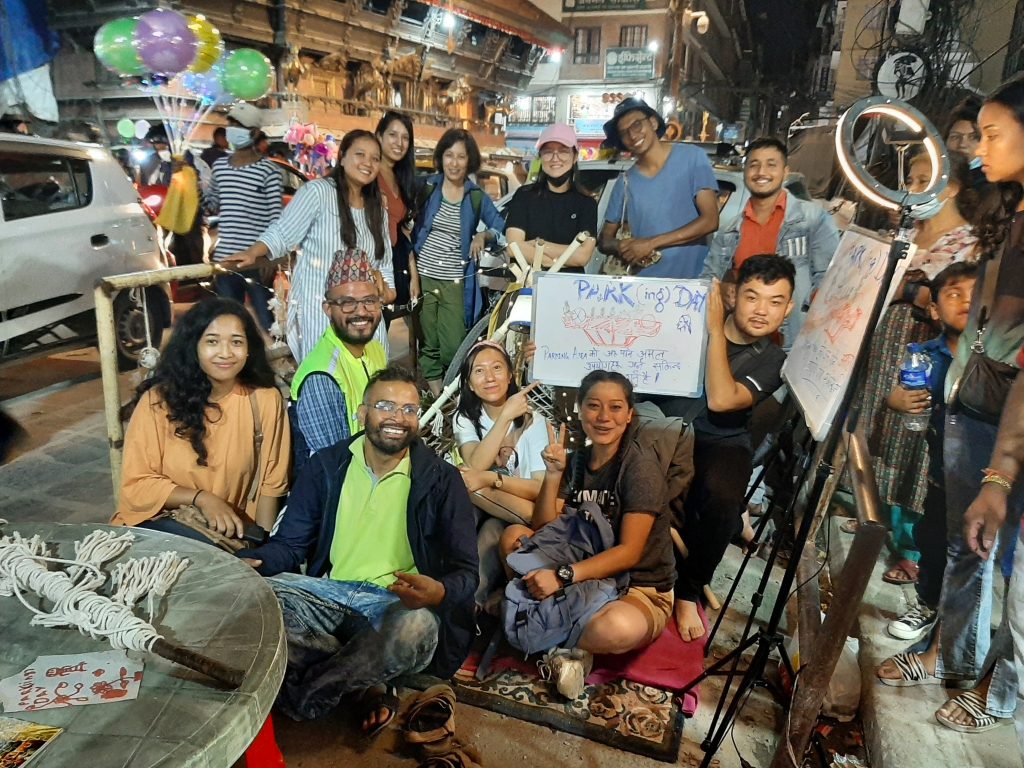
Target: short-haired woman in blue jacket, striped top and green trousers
446 250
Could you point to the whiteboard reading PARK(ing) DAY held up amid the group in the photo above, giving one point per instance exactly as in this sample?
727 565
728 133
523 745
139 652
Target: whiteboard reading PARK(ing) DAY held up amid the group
652 330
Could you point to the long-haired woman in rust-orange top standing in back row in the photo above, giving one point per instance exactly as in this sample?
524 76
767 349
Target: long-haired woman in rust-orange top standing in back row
398 183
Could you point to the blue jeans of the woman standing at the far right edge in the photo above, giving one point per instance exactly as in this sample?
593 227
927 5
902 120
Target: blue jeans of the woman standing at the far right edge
967 649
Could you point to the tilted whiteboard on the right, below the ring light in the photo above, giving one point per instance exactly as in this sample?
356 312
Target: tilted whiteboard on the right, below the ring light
821 365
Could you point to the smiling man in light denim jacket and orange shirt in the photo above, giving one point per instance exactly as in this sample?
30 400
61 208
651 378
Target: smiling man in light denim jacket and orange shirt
774 222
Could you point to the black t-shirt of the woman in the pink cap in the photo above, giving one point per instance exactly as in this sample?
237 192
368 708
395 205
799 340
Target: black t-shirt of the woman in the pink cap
557 218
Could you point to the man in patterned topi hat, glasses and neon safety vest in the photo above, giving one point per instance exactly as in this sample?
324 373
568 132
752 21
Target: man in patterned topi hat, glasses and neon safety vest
328 388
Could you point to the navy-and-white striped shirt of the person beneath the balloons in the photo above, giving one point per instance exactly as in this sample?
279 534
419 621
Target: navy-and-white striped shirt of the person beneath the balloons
248 199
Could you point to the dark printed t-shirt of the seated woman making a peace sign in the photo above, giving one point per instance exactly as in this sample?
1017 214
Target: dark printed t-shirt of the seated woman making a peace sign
635 485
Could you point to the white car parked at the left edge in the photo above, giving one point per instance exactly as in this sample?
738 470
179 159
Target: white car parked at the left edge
69 216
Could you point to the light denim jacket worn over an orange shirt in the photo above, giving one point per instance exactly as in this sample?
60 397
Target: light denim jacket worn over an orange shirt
808 238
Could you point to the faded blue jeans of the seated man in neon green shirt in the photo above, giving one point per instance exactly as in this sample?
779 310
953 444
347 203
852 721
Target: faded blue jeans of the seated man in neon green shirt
345 637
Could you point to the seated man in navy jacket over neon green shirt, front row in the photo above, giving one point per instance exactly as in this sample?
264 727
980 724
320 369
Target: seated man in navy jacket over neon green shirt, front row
388 533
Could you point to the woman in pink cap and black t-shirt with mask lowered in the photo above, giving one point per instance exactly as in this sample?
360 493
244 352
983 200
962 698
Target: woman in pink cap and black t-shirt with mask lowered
552 209
